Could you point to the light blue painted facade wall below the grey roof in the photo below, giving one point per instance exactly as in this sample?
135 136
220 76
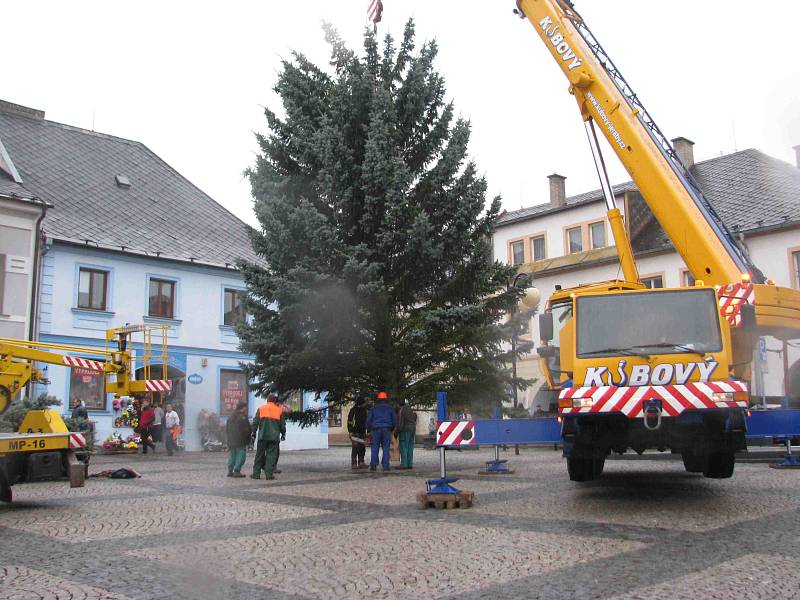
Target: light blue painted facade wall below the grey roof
201 347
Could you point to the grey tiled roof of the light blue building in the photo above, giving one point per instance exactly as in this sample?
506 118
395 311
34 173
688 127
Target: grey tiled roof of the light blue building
162 213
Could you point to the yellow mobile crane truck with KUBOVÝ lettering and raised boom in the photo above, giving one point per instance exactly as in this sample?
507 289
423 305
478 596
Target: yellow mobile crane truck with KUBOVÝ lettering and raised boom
640 368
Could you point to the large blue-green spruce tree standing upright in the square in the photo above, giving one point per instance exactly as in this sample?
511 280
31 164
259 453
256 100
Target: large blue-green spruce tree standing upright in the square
377 268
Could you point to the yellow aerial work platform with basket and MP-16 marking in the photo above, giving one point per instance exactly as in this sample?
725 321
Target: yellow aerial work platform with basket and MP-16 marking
44 431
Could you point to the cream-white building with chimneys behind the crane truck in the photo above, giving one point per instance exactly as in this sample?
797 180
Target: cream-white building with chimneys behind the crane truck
567 242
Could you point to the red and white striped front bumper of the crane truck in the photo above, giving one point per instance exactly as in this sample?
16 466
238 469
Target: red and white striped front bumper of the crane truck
674 398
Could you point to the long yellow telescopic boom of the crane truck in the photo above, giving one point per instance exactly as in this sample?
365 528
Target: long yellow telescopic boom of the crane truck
698 234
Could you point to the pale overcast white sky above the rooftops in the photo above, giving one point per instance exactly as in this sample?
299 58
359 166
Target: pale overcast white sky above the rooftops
188 79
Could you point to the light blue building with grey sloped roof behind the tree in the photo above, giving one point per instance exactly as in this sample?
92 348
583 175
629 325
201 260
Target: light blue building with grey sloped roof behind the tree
129 240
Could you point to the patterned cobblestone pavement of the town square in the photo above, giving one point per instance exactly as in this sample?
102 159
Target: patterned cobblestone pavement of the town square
645 530
